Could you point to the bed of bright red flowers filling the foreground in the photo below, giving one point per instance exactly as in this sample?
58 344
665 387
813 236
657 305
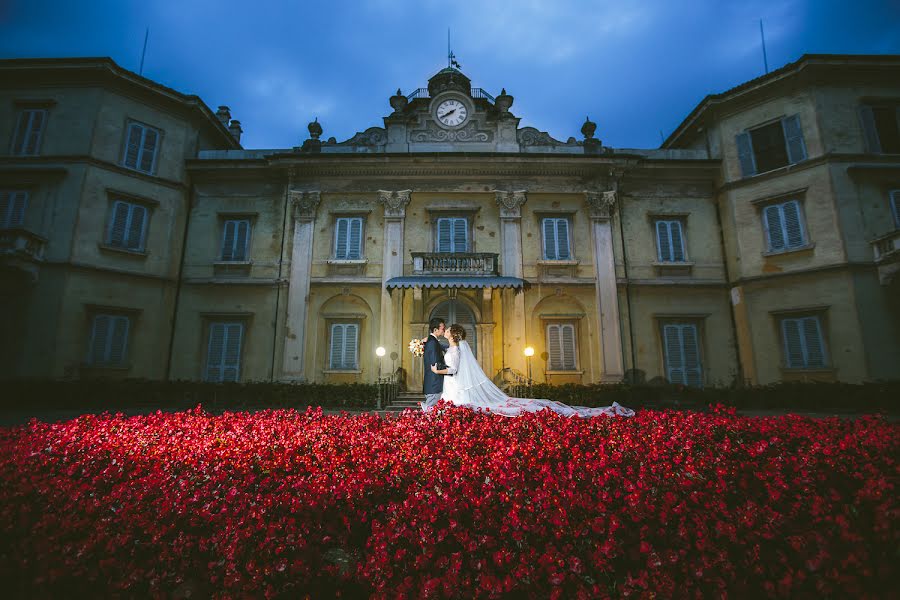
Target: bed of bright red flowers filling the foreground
280 503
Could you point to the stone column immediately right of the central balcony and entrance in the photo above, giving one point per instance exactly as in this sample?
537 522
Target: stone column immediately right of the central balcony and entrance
515 321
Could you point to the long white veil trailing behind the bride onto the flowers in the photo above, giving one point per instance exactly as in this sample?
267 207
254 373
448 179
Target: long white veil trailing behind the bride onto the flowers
478 392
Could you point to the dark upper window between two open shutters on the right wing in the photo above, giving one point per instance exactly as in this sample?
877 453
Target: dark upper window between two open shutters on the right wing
771 146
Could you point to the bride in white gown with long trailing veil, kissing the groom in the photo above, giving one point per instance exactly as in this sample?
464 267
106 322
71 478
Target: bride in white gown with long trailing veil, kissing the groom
470 387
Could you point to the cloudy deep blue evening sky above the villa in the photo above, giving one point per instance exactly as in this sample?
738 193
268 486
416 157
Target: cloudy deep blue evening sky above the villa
637 68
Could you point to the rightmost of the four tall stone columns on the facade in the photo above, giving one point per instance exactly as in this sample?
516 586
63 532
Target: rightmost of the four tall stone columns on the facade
601 206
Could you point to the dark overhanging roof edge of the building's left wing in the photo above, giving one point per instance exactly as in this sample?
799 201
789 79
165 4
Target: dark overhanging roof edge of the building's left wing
106 66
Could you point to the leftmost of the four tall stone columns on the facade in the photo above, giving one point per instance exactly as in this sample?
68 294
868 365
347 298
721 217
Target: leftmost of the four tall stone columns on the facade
303 206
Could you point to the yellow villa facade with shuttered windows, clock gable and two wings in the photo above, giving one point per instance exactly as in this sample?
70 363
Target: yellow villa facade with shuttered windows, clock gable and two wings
759 244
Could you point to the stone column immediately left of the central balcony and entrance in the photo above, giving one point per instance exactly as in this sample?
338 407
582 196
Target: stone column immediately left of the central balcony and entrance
391 320
